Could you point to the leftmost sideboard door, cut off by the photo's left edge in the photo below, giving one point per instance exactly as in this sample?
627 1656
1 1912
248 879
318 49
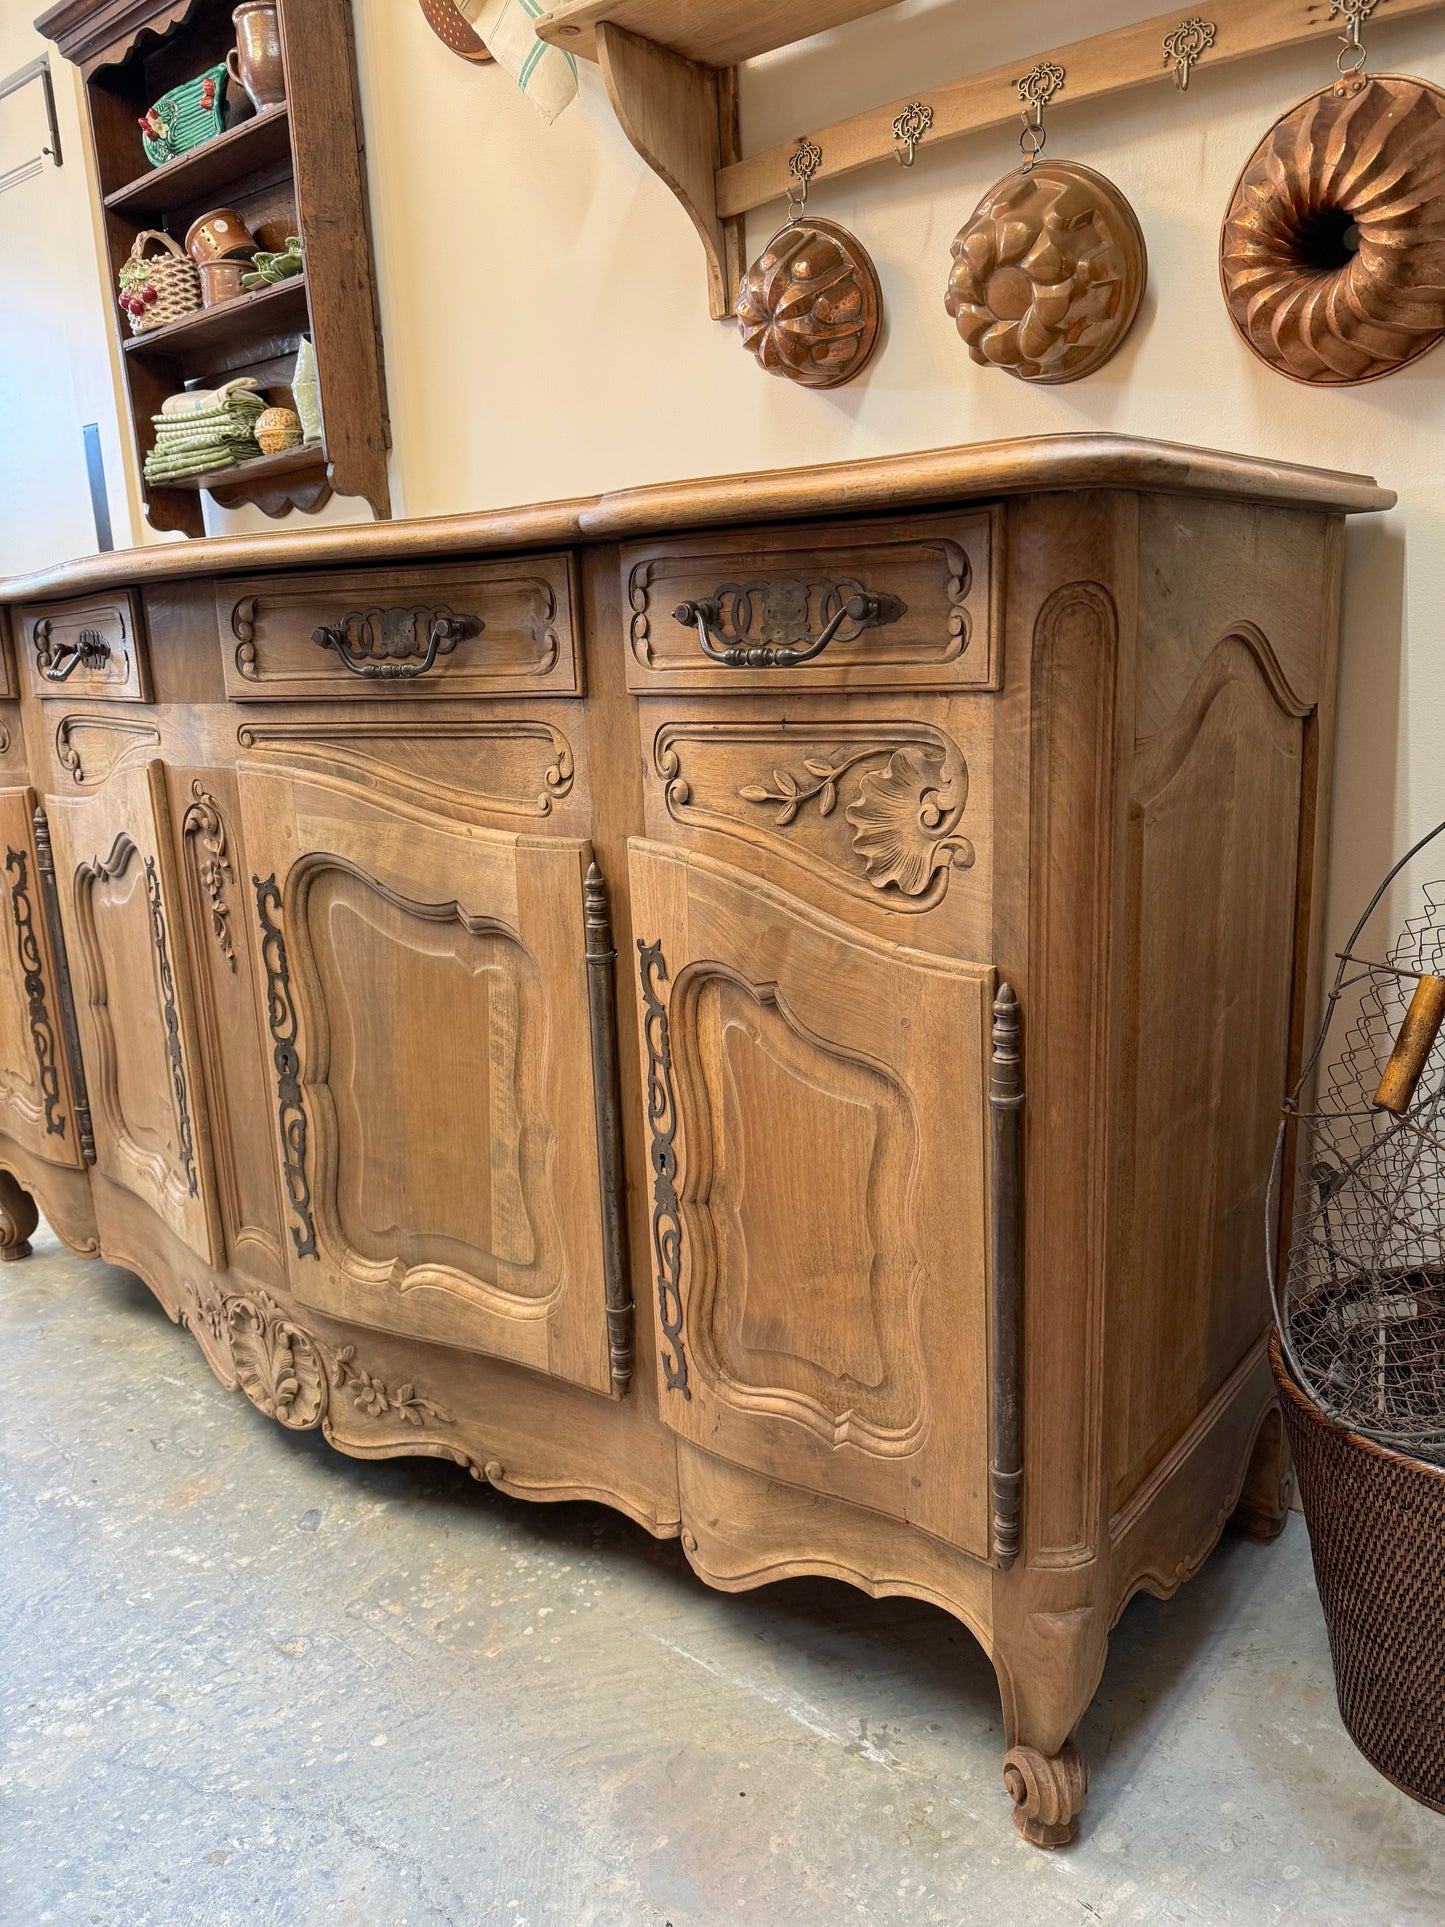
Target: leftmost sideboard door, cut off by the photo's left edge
38 1097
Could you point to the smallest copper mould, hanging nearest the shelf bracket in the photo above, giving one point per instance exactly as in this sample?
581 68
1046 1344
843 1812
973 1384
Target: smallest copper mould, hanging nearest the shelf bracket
810 307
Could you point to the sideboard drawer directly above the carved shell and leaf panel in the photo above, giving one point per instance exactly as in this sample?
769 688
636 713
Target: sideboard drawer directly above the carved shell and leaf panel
864 606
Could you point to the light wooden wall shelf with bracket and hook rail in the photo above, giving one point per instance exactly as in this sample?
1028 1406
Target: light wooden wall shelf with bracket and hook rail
671 76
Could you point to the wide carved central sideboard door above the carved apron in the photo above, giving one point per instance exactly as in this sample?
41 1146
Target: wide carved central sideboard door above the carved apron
429 1026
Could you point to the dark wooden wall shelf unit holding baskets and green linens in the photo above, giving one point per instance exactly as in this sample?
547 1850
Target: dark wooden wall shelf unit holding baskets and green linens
290 171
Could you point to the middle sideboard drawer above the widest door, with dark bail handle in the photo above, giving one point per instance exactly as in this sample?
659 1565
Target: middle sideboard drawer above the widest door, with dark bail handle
471 629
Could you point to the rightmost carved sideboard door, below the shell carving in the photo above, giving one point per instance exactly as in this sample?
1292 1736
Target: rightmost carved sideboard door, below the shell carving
818 1124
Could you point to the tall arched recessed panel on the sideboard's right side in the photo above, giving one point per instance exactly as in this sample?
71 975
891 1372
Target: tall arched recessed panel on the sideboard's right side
1215 849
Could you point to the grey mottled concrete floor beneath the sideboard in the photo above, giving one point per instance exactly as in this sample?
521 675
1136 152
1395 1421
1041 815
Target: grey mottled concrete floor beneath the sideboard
251 1681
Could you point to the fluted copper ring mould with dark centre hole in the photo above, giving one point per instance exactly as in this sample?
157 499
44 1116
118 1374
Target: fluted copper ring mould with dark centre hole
1334 248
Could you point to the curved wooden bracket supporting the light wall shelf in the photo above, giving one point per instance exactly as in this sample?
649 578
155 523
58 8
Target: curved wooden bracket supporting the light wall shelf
685 124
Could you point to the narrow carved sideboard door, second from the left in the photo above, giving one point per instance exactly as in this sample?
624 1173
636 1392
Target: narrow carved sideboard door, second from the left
120 909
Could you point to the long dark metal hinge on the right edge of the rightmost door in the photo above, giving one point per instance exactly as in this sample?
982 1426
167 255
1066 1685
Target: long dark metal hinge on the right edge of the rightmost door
1007 1269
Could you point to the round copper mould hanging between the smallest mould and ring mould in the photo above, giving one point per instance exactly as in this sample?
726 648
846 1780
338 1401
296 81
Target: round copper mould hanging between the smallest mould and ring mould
1049 275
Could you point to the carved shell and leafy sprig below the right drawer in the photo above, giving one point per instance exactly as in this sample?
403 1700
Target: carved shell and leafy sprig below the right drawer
903 818
